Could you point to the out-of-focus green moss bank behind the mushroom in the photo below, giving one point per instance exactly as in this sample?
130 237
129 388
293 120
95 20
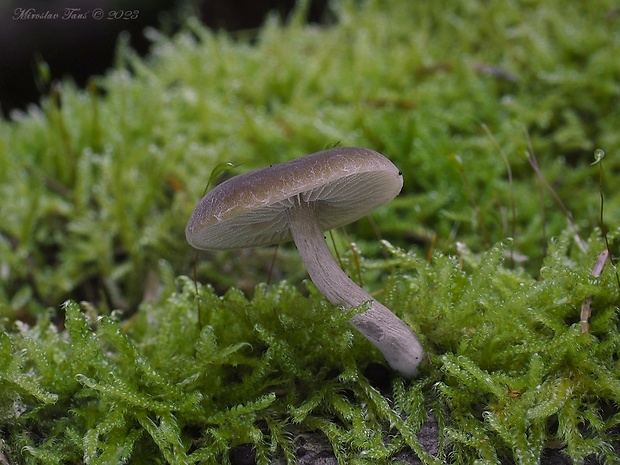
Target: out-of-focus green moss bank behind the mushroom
493 112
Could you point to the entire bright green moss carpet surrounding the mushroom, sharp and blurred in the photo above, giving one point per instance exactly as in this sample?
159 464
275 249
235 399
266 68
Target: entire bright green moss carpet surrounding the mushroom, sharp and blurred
493 112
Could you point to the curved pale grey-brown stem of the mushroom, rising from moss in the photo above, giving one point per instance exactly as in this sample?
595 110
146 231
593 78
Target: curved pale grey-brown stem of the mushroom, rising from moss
379 325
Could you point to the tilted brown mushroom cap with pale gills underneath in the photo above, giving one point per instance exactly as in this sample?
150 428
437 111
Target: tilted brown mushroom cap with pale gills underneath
250 210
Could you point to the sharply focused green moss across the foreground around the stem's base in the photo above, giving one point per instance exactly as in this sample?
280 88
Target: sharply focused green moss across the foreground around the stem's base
512 371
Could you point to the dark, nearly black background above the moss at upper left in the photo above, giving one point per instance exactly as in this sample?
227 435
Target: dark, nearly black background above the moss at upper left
78 39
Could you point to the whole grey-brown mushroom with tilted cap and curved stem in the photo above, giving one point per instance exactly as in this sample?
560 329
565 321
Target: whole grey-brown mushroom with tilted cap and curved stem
299 200
